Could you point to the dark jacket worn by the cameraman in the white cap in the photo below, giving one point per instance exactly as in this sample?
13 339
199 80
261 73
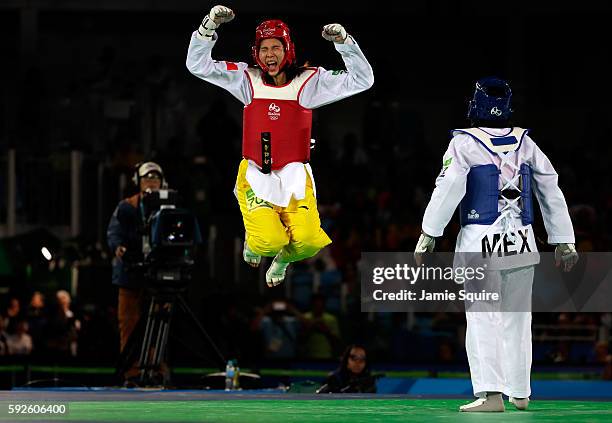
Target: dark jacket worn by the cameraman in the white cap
125 228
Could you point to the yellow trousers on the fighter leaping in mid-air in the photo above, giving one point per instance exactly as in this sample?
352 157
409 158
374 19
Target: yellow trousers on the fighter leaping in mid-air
295 229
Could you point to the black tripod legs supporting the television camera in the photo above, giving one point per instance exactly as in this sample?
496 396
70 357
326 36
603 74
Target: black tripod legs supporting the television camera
152 334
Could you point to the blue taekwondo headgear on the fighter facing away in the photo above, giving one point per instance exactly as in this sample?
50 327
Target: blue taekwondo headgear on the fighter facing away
491 101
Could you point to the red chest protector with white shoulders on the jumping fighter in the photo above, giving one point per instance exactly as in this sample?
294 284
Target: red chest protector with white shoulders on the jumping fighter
276 129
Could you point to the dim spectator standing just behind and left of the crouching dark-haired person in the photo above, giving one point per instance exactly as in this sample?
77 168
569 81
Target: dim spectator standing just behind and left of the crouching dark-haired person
320 331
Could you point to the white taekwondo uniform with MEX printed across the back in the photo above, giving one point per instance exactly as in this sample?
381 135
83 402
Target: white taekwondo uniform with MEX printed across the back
499 343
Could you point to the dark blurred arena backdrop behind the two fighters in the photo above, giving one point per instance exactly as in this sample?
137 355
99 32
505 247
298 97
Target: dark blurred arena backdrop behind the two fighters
108 79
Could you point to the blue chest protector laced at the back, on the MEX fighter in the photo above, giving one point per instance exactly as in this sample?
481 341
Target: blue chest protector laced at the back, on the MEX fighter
480 203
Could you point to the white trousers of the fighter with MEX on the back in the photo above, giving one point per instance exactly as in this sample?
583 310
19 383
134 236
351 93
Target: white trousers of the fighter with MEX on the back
498 339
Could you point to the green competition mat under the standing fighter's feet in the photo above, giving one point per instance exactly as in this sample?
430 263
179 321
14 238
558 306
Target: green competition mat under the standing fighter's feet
198 406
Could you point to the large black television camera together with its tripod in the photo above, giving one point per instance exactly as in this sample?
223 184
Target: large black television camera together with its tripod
169 238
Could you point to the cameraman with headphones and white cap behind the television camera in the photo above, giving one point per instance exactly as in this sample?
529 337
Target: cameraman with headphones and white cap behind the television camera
124 233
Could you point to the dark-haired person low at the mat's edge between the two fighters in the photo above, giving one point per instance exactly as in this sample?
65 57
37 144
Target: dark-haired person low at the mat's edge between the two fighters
353 375
